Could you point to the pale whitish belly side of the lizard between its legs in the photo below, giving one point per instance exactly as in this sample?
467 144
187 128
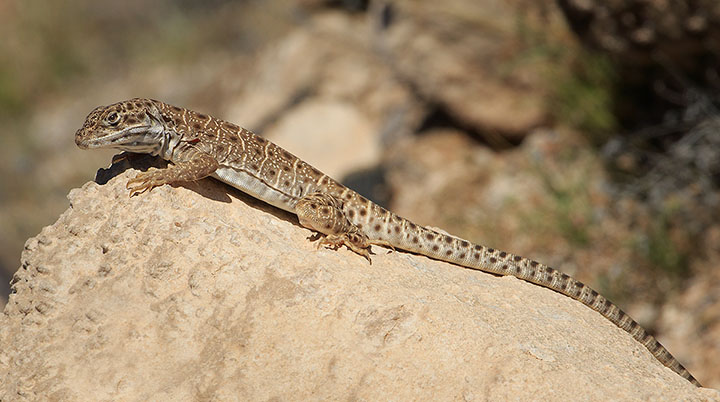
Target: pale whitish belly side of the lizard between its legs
255 187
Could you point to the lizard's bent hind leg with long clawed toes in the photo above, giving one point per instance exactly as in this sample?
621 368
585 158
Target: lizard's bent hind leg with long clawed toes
323 213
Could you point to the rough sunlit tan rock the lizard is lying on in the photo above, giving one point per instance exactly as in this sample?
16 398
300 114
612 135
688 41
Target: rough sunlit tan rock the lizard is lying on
201 293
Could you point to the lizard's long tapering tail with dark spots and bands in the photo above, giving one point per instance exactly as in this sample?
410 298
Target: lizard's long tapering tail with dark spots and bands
422 240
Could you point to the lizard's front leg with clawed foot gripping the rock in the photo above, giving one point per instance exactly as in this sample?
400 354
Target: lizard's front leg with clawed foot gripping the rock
198 166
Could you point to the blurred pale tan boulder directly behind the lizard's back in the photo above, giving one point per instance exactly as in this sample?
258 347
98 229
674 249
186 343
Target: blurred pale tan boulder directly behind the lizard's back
324 84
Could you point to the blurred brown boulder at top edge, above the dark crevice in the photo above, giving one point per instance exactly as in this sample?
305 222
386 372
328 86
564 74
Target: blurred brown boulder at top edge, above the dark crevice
469 58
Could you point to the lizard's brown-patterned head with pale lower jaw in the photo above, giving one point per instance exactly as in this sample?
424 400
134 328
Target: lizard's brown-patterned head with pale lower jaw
134 125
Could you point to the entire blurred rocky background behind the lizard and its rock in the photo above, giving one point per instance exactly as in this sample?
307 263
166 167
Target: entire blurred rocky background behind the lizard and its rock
580 133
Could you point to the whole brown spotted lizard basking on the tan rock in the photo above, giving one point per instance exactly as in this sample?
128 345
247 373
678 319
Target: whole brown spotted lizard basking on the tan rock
198 145
